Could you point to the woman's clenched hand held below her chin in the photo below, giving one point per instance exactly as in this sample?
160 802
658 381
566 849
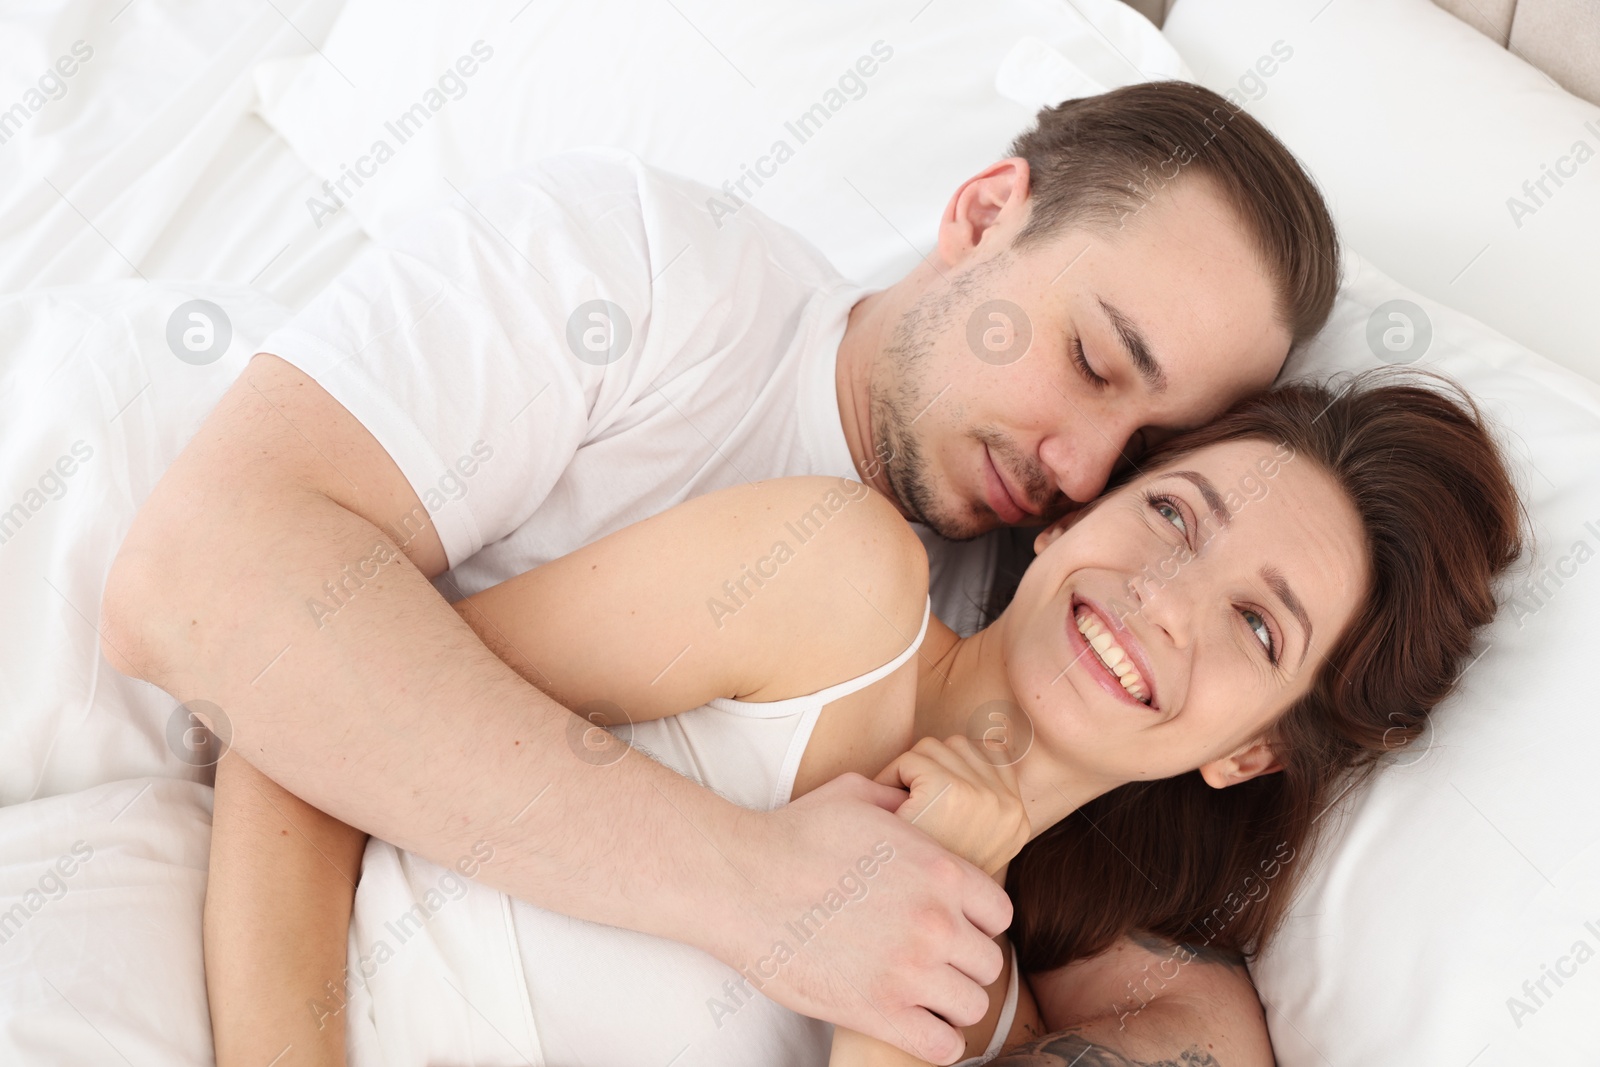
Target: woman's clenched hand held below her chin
962 799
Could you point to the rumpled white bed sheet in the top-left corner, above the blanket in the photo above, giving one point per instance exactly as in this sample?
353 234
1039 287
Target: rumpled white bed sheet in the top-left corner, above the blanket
153 162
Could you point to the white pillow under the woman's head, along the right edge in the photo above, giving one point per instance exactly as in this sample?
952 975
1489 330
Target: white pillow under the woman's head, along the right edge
1474 858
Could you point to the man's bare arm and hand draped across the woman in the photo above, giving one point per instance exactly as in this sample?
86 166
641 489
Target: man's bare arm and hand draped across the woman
393 716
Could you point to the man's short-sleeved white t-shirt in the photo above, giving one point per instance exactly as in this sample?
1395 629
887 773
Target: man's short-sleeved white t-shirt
580 345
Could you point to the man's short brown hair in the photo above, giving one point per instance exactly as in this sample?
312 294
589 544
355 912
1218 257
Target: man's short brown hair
1098 161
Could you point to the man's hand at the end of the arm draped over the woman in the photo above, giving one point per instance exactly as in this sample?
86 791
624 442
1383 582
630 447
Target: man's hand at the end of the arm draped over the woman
884 893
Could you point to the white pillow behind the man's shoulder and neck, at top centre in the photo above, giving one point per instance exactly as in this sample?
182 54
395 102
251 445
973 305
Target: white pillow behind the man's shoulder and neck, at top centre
706 90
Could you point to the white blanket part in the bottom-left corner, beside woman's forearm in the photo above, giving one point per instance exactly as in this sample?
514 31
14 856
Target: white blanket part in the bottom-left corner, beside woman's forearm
100 948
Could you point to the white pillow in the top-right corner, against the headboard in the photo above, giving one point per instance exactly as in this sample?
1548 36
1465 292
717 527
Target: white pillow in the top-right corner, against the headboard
1422 134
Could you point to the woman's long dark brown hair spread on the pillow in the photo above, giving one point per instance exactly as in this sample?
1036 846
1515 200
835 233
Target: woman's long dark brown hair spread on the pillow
1217 868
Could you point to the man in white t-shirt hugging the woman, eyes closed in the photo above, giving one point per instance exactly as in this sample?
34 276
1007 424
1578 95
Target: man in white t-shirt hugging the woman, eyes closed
582 346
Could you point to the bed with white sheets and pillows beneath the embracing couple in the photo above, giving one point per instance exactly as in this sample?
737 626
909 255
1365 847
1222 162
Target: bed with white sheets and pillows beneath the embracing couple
204 159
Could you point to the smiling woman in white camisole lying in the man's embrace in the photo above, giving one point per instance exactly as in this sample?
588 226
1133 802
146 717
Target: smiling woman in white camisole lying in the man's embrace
1204 653
